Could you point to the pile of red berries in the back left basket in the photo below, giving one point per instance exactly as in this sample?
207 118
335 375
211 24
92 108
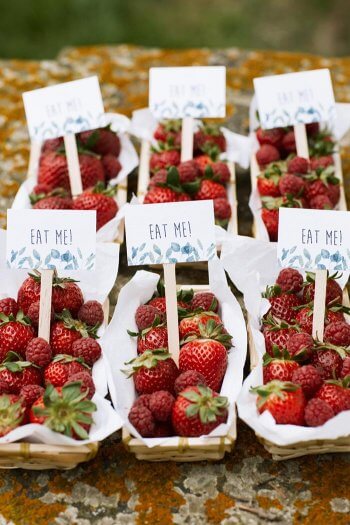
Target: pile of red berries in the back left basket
98 159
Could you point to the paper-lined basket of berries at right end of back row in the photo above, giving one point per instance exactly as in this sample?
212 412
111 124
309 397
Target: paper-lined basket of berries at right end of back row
281 178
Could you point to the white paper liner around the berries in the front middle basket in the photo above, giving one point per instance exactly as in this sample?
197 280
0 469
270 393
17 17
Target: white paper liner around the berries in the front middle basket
119 347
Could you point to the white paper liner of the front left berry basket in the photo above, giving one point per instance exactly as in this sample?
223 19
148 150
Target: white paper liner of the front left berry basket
94 285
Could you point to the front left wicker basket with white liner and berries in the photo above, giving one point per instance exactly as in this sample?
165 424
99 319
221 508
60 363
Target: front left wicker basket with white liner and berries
53 411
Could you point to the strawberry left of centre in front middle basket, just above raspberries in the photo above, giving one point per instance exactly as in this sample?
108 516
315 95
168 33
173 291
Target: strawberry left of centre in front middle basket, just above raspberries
153 371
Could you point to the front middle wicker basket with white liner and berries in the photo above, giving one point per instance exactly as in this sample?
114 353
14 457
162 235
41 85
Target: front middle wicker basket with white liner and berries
169 412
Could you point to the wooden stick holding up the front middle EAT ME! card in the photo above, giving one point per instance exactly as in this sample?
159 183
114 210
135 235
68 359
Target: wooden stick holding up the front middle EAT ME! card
171 311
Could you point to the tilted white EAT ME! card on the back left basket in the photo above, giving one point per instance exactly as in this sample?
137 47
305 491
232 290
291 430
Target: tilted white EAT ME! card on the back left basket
57 110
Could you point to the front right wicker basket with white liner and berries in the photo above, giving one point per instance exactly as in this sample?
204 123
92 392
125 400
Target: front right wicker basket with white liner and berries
297 396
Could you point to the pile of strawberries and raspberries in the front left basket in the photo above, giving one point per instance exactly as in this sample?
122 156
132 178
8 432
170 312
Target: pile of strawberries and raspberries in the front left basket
48 383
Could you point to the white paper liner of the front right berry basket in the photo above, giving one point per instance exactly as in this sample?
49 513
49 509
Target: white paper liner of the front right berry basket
252 265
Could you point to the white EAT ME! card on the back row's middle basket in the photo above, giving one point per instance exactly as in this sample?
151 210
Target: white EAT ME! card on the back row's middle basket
178 92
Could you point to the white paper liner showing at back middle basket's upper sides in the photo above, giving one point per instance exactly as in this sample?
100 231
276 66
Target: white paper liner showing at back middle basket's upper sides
239 147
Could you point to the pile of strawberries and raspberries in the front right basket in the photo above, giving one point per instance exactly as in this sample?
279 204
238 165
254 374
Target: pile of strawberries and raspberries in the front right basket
306 381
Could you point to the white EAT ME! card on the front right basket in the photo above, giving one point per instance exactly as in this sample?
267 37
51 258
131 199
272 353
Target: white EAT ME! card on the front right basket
314 239
